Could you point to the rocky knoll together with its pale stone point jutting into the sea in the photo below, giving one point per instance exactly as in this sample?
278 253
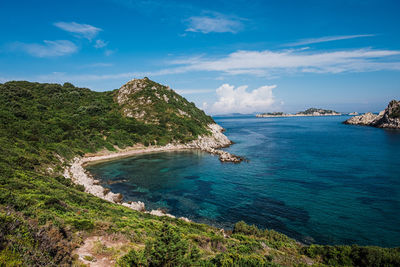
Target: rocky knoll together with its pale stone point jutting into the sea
153 103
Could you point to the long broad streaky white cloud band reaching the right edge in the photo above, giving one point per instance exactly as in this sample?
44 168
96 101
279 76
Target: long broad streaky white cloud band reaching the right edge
270 63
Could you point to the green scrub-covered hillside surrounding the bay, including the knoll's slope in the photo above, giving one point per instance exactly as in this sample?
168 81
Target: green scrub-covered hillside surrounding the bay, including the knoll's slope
44 217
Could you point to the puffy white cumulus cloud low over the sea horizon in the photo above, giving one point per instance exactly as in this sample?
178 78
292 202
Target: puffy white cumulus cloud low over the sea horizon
239 100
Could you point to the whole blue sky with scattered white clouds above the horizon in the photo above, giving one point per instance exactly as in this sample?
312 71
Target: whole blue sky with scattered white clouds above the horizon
226 56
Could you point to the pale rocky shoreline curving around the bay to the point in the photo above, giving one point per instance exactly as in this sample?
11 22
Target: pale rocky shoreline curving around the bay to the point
79 175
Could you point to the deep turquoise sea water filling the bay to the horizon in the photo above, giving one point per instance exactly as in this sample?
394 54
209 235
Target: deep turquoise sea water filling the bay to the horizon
311 178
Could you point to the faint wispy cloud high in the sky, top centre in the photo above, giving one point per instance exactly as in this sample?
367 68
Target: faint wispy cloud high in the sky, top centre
207 24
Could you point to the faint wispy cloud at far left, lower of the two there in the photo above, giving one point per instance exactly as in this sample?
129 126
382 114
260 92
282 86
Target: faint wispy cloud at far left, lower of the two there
47 49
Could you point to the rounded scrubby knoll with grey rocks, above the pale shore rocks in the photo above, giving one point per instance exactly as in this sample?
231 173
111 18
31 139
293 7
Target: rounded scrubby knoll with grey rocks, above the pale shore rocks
152 103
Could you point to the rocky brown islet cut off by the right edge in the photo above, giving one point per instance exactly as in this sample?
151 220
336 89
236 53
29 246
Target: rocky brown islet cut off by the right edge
388 118
